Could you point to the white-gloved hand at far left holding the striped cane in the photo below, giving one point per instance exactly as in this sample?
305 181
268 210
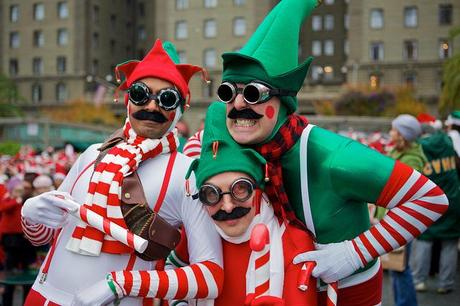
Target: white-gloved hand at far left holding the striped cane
49 208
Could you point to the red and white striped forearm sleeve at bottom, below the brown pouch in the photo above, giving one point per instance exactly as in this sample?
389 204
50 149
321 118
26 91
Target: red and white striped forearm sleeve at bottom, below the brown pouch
202 280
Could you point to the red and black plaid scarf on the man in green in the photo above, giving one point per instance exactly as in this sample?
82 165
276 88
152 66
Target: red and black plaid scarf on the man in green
287 135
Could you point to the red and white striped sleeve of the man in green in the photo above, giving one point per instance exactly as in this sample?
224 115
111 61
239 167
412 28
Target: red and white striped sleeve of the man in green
414 203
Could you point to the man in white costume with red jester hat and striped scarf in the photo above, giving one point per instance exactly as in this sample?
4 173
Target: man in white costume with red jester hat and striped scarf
132 175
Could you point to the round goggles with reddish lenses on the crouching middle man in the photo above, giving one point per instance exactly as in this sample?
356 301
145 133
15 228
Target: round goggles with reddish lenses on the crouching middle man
240 190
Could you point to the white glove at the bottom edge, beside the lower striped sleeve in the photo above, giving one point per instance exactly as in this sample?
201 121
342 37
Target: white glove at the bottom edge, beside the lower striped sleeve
97 294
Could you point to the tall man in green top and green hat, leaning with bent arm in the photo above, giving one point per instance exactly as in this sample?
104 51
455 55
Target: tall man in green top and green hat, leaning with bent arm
319 180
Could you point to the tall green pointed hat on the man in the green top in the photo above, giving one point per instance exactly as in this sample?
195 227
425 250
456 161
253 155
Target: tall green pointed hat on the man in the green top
271 54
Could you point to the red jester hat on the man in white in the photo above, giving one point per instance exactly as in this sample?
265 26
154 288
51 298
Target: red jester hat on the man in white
161 62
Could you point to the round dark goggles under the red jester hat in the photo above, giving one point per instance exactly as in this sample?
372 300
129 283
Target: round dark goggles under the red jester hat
167 98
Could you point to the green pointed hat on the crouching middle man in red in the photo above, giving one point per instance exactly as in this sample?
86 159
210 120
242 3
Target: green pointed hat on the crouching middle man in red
220 153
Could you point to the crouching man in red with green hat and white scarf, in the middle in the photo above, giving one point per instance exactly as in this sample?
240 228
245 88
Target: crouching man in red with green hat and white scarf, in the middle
230 181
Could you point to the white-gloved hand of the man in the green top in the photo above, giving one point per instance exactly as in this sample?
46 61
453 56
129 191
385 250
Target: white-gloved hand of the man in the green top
334 261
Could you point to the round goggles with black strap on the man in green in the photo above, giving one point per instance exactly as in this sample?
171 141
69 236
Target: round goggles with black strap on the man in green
253 93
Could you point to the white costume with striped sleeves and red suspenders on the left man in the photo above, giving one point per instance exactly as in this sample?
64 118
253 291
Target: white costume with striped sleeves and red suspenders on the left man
68 273
